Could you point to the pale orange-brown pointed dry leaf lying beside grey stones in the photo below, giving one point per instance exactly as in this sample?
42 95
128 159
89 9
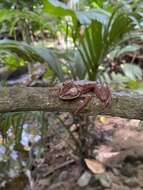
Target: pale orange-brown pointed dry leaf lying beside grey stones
95 166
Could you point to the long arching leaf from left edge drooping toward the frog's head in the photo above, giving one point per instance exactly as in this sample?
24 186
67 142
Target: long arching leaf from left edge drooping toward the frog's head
30 54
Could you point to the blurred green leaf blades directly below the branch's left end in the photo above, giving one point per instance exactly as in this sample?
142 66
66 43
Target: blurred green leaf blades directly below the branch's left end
14 122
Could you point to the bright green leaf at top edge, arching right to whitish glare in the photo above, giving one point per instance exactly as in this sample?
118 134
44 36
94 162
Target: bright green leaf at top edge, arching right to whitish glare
57 8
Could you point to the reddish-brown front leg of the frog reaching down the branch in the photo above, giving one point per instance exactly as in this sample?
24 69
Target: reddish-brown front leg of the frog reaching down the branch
82 104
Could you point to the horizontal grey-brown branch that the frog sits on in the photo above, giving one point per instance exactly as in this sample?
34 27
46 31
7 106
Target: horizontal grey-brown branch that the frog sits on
127 104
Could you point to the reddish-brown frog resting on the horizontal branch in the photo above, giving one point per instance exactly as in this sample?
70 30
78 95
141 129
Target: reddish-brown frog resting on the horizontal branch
71 90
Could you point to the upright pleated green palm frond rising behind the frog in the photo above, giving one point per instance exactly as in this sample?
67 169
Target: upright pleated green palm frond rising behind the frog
100 38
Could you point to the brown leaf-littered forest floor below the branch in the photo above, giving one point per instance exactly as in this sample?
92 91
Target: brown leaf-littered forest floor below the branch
117 145
